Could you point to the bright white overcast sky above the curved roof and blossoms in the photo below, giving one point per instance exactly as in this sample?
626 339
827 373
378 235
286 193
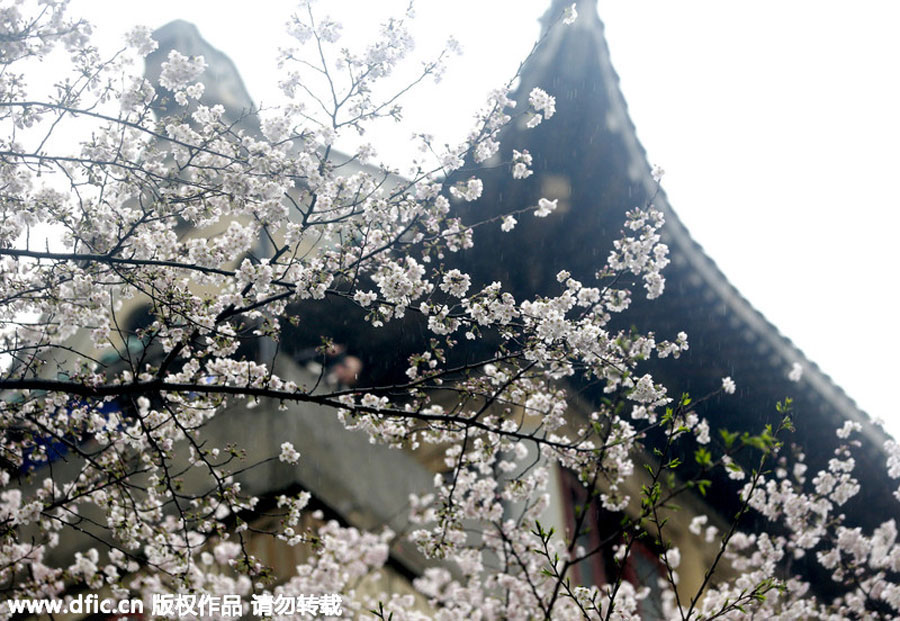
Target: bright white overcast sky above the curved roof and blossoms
777 123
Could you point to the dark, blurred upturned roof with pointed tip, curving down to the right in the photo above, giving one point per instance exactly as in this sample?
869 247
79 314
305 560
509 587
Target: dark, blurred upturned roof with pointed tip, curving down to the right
589 157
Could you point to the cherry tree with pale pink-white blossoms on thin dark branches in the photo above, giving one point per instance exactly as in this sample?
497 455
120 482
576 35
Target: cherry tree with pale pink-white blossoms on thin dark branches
119 192
